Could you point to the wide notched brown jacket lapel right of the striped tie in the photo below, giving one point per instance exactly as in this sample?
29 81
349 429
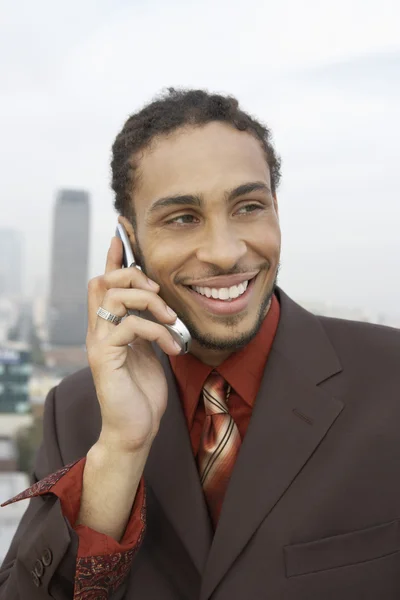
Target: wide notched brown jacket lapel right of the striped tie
290 418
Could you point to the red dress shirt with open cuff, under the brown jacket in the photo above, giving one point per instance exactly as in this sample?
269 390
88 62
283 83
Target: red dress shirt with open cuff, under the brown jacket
243 370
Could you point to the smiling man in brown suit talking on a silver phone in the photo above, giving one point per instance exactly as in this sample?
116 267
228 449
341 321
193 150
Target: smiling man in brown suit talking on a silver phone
264 464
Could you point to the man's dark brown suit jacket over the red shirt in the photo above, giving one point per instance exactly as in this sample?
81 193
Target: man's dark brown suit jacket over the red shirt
313 508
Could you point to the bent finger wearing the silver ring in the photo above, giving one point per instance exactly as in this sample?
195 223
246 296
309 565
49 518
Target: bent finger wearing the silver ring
118 301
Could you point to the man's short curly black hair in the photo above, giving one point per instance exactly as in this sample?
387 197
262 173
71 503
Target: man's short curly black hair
171 110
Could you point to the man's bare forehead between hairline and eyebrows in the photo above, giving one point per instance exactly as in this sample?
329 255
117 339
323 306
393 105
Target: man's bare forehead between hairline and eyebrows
204 159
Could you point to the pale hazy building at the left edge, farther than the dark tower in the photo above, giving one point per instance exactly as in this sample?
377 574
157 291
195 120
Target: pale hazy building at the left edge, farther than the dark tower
11 259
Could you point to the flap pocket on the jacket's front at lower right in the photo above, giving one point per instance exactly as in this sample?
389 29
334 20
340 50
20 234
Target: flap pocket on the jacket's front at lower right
342 550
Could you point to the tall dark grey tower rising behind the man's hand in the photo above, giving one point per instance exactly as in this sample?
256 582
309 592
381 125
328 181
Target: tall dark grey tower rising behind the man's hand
69 269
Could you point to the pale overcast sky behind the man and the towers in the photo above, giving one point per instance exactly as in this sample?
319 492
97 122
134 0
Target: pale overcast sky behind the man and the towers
324 75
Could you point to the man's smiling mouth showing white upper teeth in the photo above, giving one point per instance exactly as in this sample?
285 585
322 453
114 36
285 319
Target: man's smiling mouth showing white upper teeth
223 300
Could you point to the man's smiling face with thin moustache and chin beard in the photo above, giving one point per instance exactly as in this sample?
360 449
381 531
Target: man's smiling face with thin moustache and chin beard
207 223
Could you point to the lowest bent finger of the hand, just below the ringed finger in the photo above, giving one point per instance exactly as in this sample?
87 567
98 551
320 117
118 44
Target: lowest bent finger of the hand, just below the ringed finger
135 327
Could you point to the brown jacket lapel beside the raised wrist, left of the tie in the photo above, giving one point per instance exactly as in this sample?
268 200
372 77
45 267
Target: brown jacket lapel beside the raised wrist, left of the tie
171 471
